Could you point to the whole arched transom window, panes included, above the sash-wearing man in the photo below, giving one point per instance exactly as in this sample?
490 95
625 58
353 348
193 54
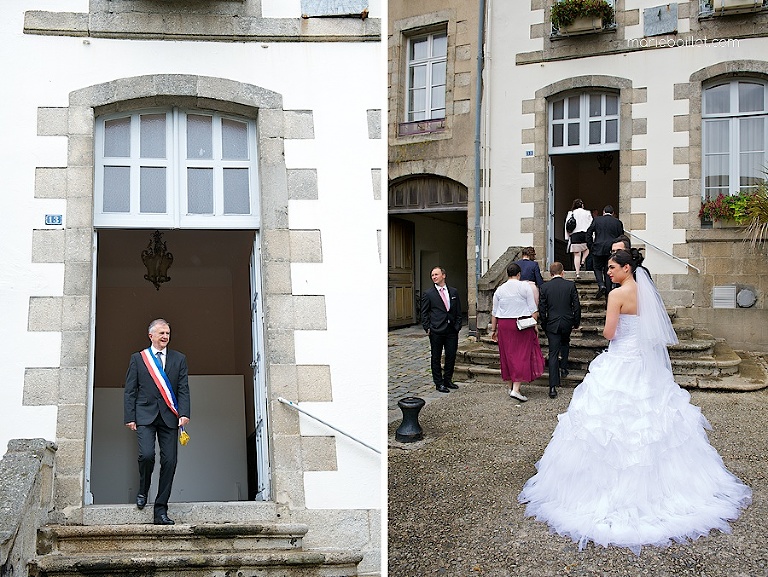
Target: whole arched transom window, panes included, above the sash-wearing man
172 168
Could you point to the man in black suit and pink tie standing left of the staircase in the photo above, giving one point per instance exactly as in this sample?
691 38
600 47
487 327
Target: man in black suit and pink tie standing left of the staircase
441 319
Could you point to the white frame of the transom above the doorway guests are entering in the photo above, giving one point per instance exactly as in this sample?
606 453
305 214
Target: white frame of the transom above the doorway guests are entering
583 121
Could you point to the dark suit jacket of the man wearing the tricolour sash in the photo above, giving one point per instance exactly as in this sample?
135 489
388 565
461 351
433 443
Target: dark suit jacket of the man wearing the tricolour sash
142 399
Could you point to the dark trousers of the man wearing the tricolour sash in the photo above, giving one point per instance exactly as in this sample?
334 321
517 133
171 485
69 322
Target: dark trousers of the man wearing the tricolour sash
167 438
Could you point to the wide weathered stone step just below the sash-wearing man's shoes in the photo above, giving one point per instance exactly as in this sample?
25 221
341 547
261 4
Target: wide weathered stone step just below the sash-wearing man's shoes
208 538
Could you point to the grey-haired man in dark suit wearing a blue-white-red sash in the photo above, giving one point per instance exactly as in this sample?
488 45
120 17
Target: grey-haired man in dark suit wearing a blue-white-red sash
156 405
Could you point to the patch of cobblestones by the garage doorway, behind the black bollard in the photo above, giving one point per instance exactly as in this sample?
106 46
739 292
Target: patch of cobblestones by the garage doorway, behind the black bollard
409 373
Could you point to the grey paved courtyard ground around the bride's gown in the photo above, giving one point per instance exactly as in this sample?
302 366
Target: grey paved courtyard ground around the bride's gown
452 497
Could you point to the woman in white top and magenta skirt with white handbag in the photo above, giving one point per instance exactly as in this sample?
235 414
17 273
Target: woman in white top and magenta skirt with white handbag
519 350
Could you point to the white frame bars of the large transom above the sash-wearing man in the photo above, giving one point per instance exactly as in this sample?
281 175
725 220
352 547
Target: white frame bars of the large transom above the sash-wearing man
176 163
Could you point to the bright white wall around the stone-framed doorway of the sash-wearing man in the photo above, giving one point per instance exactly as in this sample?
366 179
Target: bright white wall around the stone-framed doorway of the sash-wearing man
339 82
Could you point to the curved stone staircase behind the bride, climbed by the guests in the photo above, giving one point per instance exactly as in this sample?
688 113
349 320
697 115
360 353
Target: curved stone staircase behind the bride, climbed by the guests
698 360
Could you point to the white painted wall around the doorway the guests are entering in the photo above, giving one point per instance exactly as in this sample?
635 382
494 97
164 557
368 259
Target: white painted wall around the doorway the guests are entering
657 70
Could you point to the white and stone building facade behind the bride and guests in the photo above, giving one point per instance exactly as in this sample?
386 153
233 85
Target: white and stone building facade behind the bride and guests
641 82
